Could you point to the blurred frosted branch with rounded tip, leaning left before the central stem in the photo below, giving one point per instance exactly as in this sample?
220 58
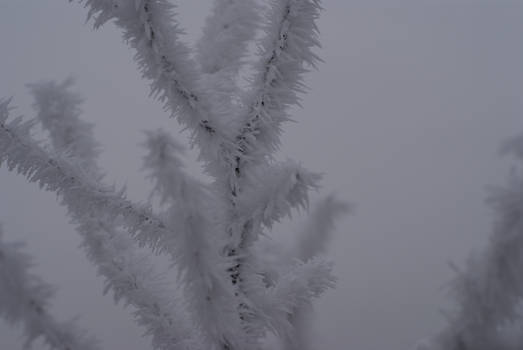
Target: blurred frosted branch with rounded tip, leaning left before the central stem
206 284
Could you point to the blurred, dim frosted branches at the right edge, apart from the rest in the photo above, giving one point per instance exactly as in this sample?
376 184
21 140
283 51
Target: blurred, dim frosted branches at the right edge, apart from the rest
489 291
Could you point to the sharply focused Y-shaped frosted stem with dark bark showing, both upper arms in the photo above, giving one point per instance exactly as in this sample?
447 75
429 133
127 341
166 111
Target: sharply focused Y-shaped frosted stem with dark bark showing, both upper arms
147 25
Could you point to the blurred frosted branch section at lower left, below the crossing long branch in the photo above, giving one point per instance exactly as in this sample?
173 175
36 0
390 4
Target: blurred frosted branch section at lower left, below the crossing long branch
132 278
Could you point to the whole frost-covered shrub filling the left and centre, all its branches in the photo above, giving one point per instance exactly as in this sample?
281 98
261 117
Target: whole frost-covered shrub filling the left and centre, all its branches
234 293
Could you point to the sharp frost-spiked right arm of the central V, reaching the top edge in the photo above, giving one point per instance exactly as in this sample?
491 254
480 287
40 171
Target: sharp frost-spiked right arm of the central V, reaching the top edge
286 50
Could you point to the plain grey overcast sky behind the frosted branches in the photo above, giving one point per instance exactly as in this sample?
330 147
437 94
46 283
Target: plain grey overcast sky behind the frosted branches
404 118
